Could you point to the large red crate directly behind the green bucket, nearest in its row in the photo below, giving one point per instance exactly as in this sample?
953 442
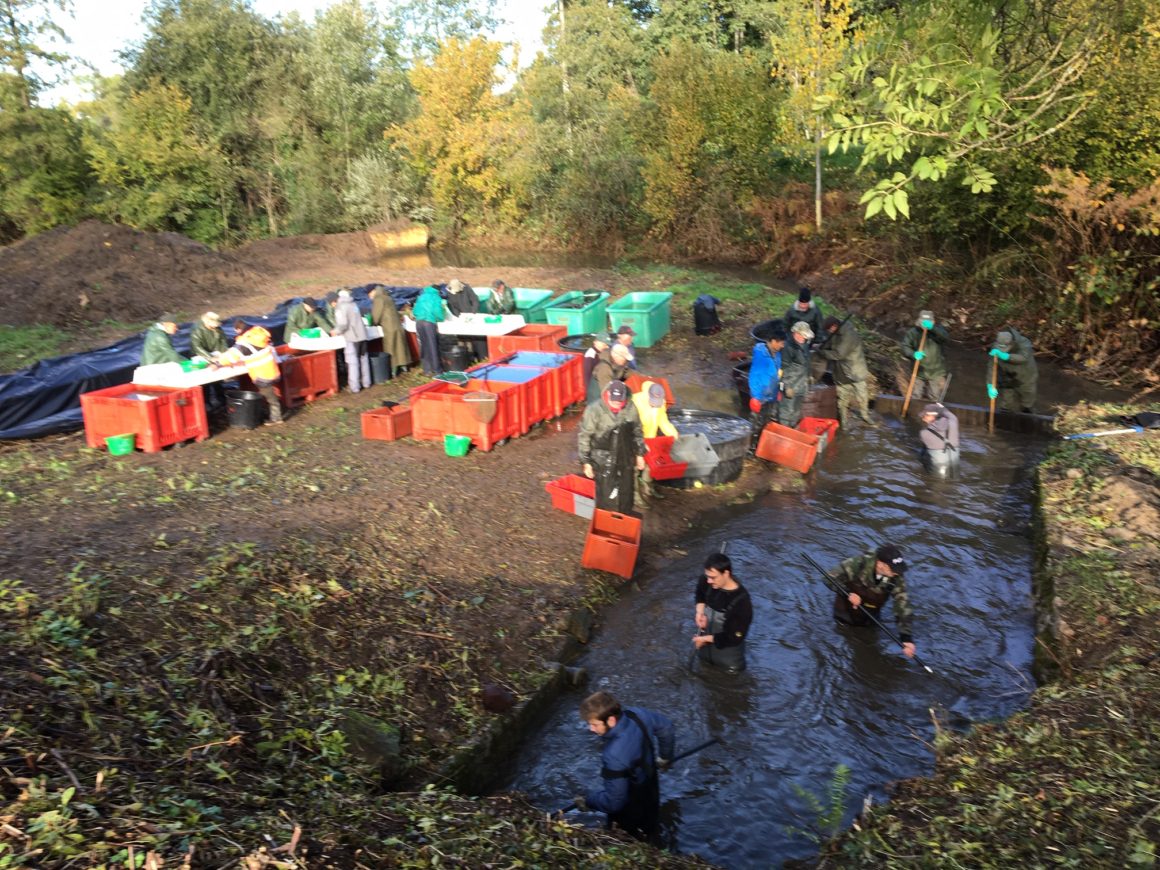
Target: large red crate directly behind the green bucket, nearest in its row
441 410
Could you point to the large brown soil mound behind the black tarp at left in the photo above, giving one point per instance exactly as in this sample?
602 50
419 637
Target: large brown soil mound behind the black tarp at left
97 272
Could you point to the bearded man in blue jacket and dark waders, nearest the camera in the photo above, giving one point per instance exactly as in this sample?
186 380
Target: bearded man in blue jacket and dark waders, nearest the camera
629 791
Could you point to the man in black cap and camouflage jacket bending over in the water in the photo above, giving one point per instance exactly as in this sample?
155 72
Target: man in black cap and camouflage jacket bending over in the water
871 581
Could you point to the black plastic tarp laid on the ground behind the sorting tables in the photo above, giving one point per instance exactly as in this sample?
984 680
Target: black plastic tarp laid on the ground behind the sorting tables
45 400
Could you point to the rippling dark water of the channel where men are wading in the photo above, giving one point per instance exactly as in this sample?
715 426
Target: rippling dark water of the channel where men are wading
817 695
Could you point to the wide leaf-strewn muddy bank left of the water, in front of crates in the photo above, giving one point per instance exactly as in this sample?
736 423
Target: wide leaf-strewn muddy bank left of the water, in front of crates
285 639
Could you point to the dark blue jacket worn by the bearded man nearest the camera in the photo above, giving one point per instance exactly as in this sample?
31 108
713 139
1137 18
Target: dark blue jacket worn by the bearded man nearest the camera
626 758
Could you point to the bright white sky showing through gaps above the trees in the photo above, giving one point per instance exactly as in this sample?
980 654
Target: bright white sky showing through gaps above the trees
100 30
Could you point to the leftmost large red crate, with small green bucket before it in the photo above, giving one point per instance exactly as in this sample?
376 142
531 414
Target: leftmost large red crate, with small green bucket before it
158 416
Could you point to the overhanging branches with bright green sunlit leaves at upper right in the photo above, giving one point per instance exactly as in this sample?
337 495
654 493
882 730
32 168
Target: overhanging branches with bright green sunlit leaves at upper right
954 83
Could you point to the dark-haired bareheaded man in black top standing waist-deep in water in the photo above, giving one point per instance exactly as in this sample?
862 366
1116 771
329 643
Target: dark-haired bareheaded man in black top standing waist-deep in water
724 613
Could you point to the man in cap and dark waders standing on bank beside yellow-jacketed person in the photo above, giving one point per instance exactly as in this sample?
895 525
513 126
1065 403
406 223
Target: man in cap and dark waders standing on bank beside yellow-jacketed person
612 447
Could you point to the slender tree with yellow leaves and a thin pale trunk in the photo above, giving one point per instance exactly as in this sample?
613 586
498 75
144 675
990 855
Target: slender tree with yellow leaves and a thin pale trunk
811 42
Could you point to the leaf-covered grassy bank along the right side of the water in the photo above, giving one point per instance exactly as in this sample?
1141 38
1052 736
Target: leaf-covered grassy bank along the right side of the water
1075 781
